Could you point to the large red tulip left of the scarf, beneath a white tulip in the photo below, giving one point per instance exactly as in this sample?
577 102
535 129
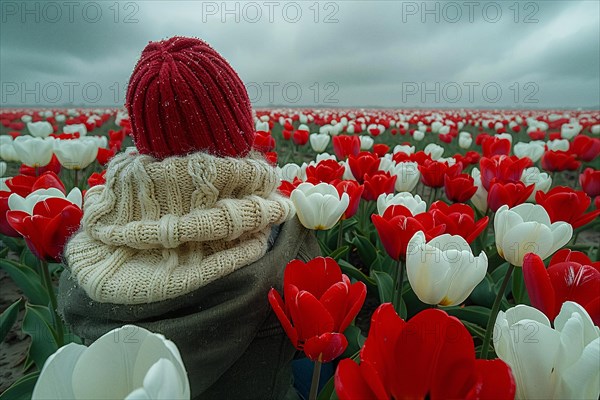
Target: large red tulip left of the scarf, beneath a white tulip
48 228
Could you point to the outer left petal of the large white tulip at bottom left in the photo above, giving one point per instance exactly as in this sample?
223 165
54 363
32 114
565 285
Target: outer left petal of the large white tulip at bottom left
55 381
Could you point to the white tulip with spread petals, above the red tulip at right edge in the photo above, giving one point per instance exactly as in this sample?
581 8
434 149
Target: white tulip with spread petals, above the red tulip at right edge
526 228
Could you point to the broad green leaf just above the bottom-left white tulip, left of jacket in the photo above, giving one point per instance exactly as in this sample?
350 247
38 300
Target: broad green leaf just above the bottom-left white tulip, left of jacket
37 323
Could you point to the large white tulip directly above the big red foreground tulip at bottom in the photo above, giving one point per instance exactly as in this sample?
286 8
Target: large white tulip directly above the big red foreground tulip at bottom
443 271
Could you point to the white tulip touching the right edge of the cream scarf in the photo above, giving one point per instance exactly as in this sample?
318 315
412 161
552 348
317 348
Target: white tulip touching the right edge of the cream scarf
319 206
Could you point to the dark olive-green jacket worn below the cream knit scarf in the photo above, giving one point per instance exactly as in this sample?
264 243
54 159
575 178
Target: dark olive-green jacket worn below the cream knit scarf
231 343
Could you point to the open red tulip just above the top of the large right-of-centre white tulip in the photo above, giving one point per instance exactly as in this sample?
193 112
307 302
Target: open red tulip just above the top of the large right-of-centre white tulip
459 220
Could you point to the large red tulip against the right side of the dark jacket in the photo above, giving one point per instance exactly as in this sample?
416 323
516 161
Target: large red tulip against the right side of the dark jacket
320 303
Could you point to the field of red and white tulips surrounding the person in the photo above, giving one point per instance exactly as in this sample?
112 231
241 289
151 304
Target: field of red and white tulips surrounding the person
460 252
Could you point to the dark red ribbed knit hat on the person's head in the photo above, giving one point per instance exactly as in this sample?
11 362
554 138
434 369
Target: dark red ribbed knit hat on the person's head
183 97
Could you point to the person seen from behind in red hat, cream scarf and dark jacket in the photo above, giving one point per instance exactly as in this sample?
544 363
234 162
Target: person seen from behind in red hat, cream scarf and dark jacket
189 233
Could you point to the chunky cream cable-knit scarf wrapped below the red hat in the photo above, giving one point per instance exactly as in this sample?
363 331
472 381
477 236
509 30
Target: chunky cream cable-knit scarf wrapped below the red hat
160 229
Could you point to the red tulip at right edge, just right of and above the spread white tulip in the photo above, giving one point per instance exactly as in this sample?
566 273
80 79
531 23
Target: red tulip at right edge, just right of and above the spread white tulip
565 204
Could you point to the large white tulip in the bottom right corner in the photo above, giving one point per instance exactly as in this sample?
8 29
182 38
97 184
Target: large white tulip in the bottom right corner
550 363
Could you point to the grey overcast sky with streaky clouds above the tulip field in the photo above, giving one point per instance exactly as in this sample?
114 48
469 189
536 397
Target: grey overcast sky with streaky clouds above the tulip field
537 54
